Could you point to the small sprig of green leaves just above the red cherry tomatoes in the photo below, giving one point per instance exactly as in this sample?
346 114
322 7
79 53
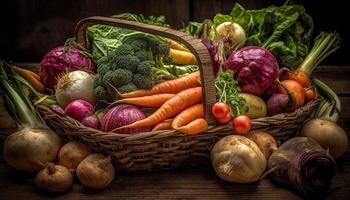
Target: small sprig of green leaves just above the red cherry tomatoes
227 91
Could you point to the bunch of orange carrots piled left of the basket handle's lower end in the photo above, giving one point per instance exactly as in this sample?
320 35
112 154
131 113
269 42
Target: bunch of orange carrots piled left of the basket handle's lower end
179 99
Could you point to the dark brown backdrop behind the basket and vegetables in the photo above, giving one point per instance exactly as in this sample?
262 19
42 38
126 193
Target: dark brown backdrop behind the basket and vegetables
30 28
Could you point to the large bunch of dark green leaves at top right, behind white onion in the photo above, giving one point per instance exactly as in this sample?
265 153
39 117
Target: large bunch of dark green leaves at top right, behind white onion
285 31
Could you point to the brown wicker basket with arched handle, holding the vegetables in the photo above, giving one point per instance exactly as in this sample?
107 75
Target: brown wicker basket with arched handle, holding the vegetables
162 150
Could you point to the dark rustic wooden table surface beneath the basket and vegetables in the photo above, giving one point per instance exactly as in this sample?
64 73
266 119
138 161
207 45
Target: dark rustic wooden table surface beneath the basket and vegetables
199 183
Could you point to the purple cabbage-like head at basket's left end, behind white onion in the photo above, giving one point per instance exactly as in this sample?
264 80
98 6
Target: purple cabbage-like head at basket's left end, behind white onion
57 62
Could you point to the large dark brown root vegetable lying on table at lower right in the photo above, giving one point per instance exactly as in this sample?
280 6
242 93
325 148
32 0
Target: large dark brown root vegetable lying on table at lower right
303 163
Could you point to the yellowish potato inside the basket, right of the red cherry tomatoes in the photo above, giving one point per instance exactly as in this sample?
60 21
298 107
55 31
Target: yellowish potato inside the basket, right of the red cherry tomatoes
257 106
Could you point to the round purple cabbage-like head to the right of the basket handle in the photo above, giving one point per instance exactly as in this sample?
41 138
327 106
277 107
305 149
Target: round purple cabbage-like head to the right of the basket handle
255 69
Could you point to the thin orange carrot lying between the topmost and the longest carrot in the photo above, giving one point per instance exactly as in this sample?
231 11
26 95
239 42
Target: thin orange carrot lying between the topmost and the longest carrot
155 100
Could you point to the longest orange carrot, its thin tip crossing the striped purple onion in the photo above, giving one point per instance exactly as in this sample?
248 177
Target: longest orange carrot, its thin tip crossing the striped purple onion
170 108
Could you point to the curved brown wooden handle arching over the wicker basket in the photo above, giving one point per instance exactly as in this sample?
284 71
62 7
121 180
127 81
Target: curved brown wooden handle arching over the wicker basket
193 44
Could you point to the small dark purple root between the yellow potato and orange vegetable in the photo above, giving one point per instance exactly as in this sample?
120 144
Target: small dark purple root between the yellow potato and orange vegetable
279 103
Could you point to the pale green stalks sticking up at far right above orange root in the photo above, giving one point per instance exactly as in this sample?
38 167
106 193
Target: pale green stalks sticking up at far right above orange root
325 44
